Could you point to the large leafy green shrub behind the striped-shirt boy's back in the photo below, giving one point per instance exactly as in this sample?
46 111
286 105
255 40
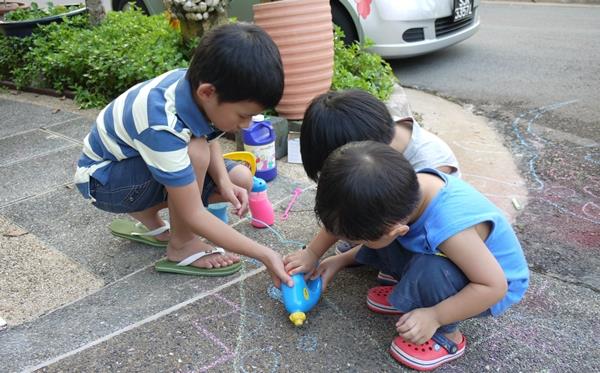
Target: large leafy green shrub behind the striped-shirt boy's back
102 62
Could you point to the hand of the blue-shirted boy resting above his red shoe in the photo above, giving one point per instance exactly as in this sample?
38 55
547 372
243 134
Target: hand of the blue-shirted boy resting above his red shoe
418 325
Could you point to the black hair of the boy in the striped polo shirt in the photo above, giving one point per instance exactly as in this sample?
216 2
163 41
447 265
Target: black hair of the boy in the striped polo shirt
242 62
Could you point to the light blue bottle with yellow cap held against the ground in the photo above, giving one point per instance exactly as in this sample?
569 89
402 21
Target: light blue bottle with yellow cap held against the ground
301 297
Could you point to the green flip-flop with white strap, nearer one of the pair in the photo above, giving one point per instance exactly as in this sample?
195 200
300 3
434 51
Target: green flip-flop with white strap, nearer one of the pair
184 267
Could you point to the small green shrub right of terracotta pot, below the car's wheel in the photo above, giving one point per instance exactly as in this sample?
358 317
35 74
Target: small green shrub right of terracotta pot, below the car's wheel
354 67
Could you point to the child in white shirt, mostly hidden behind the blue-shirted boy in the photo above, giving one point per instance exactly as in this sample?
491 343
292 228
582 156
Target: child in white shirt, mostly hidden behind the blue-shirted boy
337 118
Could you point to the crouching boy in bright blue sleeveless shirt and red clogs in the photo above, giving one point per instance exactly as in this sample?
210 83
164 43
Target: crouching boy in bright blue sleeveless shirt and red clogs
454 252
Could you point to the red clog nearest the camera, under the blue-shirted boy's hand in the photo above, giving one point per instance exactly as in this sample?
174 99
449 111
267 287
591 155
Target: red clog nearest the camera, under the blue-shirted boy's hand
428 356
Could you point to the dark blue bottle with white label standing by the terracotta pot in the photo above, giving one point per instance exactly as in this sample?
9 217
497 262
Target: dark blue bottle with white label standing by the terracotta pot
259 139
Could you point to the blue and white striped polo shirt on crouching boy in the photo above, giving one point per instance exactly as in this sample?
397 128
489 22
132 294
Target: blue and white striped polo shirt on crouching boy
155 120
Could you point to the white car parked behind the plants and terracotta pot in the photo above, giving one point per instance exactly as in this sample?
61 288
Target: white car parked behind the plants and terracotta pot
398 28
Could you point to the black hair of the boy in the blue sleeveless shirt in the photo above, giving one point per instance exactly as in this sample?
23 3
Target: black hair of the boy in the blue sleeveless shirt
364 189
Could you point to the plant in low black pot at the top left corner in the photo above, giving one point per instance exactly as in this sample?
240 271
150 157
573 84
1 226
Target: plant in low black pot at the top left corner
21 22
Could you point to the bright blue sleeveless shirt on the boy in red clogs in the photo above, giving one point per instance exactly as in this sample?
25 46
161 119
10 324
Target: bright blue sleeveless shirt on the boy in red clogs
459 206
